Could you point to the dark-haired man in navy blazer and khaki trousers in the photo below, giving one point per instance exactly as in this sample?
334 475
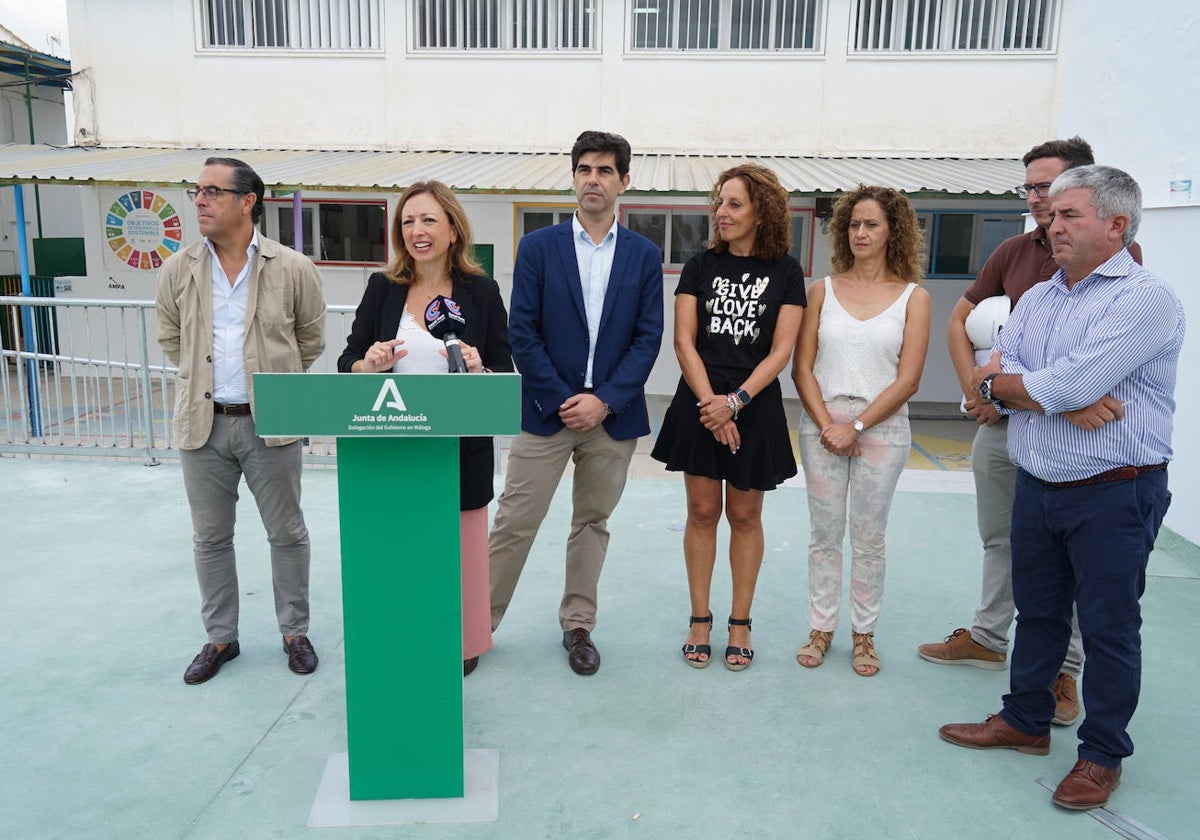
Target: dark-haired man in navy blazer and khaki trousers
586 325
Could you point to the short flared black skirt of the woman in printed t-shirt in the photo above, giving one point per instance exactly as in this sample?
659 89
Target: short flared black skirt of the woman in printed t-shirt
765 459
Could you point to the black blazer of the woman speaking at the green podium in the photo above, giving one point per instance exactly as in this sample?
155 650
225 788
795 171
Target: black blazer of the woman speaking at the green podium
488 331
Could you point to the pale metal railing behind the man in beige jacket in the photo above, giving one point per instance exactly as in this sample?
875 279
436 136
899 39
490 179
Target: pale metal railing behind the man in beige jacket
87 377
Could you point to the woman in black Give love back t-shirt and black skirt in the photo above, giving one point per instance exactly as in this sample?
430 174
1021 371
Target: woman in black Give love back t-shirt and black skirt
739 310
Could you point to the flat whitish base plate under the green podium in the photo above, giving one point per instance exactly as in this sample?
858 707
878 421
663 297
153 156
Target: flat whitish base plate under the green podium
479 803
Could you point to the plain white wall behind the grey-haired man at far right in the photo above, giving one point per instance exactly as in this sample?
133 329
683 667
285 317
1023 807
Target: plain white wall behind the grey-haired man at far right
1131 87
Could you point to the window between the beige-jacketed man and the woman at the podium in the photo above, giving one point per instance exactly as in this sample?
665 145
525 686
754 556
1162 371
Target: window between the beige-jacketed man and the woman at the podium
334 232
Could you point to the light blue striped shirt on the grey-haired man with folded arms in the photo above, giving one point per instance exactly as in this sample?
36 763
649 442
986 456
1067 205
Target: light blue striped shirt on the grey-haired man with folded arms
1117 333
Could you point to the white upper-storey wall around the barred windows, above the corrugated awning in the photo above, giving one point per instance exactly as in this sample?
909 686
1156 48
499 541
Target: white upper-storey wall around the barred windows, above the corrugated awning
146 83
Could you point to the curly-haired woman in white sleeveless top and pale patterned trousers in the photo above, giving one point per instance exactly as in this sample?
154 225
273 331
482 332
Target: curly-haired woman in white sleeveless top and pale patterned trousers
857 364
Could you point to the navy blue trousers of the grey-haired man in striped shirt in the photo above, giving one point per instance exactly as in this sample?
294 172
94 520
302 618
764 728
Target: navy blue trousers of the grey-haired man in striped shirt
1090 545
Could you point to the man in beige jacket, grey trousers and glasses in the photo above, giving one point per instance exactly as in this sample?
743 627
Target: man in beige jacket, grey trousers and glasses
232 305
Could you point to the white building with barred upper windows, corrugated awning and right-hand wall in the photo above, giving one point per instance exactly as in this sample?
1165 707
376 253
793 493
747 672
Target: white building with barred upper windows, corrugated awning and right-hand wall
349 101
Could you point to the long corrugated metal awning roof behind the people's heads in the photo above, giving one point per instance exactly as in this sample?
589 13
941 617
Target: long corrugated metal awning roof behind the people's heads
509 172
